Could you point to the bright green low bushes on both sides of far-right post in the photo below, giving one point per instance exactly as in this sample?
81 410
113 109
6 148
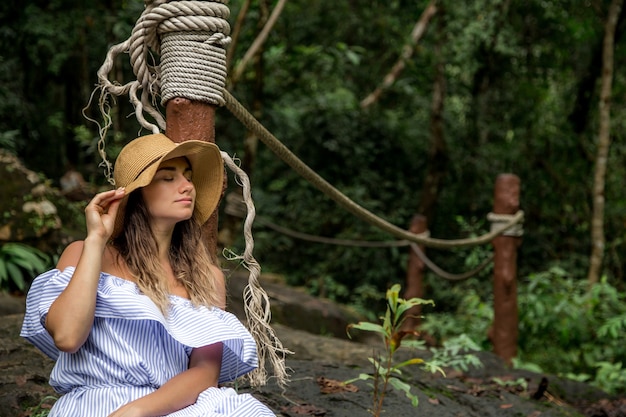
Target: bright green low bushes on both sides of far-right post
564 327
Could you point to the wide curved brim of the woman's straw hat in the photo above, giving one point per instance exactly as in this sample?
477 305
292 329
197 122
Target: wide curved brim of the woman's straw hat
207 169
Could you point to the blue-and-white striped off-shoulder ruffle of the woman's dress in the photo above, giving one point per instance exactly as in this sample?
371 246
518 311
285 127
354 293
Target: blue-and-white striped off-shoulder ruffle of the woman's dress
121 299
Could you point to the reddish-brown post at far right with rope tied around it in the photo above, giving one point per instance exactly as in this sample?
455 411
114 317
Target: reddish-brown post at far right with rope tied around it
504 331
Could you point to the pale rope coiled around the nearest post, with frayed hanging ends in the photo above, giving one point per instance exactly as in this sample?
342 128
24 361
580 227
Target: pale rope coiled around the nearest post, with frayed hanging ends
177 49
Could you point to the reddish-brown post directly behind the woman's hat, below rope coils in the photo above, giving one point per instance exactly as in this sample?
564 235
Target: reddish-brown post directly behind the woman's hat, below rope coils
194 120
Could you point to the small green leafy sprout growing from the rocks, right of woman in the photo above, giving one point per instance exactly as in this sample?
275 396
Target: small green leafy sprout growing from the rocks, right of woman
386 372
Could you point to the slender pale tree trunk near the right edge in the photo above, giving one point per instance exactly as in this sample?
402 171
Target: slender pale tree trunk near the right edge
604 142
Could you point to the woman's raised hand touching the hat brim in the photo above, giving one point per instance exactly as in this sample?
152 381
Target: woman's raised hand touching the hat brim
101 212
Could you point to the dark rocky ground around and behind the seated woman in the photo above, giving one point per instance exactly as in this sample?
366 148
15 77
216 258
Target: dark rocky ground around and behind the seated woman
319 363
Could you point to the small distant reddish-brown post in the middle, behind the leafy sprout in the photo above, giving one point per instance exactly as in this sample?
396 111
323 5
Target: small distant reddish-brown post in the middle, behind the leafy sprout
415 275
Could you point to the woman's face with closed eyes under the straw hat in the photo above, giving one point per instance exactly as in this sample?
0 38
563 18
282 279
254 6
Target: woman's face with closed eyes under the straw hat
171 196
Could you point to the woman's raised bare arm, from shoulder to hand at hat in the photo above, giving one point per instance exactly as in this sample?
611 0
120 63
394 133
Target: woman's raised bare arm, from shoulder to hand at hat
70 316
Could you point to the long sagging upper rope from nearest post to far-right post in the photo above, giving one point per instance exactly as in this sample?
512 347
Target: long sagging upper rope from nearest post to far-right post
324 186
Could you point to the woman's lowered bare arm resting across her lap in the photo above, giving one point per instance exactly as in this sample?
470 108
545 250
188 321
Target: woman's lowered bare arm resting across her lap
183 389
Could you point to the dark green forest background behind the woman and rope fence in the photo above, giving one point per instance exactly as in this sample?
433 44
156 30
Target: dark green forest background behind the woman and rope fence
488 87
